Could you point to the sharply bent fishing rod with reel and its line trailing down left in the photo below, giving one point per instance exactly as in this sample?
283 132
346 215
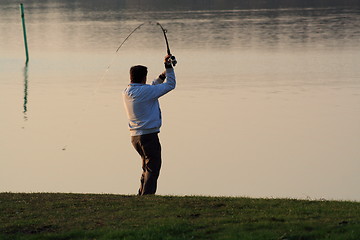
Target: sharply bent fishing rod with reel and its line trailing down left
98 84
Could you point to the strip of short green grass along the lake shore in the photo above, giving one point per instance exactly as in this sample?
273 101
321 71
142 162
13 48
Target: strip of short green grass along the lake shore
92 216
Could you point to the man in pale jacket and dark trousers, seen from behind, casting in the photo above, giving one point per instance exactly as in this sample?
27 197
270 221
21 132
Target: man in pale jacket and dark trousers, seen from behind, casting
143 110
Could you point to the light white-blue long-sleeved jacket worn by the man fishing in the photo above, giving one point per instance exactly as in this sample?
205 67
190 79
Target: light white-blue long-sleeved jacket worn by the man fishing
142 104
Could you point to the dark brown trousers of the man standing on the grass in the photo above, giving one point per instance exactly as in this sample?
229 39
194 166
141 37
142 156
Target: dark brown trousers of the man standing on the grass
149 148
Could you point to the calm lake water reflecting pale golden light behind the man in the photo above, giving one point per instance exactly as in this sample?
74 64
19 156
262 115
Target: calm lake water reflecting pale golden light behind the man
267 102
